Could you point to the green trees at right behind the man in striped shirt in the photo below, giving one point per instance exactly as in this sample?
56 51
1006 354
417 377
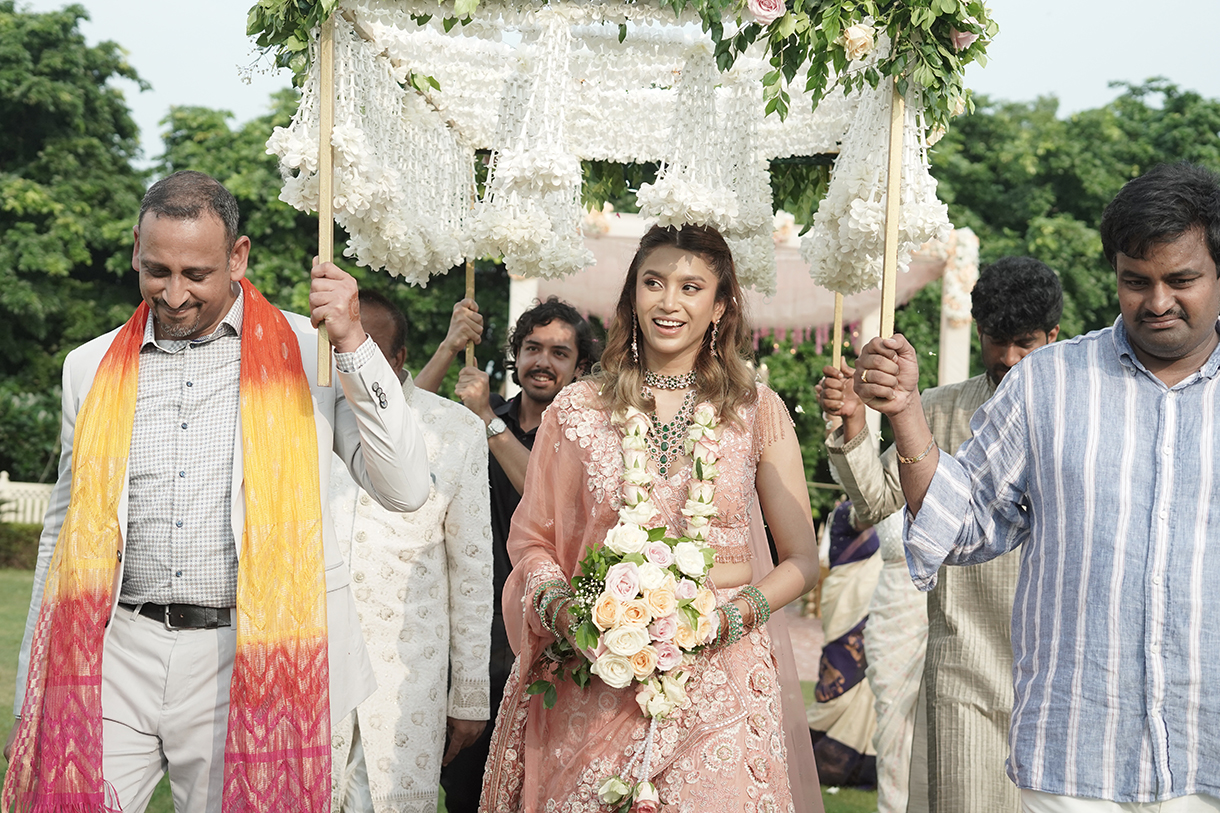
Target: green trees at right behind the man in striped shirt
1033 184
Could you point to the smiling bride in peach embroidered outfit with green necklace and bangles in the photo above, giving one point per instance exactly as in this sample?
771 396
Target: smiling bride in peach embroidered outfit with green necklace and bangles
676 346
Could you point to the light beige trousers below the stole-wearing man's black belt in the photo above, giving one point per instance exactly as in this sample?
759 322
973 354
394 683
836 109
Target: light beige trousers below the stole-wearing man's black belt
165 698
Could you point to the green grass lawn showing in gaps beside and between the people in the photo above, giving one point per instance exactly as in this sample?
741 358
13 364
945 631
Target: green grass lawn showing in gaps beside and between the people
15 604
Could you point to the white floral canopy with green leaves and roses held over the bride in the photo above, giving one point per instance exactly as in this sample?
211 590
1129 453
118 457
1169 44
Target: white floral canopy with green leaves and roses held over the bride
423 85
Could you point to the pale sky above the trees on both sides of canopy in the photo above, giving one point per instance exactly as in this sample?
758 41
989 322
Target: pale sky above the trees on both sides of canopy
193 53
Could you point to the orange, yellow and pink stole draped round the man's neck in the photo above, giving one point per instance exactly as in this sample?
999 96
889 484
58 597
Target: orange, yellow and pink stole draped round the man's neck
278 754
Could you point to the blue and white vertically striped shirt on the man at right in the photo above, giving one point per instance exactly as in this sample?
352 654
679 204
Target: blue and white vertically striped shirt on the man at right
1105 477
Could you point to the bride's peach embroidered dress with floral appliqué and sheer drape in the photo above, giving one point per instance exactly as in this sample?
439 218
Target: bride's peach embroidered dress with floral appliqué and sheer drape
727 750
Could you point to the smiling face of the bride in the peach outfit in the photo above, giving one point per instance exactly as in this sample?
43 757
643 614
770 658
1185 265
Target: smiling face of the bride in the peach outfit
675 305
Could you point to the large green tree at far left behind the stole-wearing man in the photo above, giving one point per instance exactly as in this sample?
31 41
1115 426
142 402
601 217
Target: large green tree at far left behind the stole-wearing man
69 195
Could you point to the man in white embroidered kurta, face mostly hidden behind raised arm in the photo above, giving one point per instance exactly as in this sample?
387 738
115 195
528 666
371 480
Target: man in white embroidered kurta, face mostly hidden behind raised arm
423 585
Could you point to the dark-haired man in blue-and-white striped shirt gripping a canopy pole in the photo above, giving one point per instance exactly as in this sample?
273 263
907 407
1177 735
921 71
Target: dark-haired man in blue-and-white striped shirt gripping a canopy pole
1096 457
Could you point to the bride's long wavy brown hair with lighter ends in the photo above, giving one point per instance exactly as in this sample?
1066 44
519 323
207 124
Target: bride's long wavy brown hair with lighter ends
724 378
